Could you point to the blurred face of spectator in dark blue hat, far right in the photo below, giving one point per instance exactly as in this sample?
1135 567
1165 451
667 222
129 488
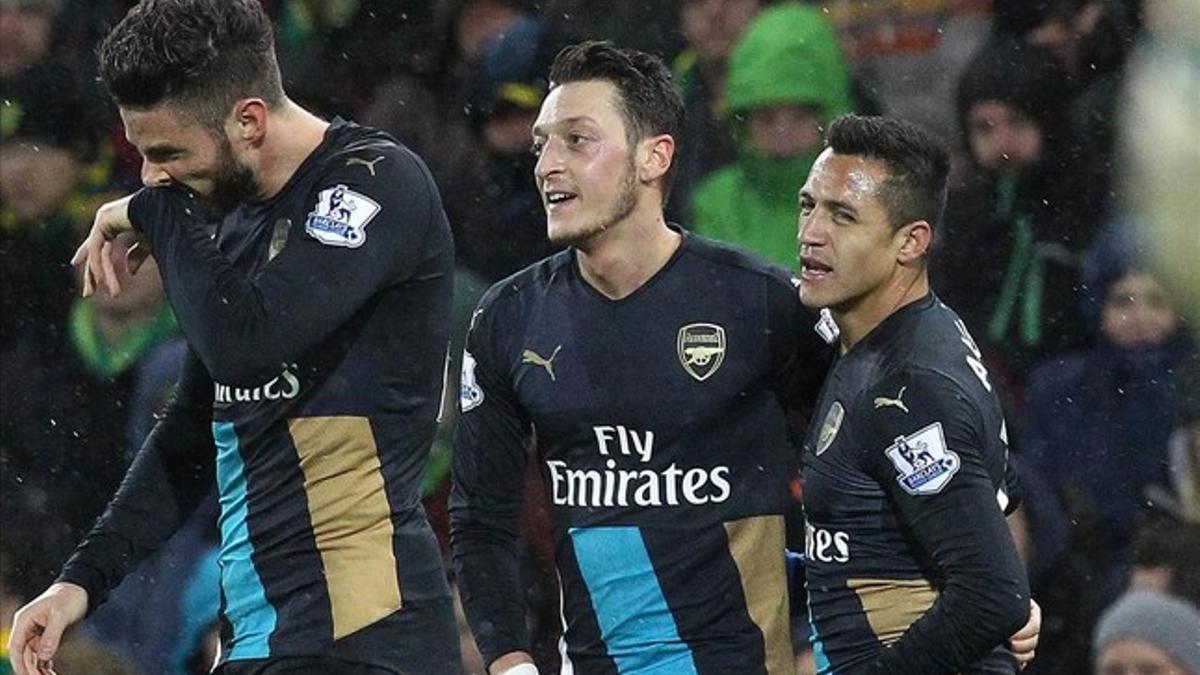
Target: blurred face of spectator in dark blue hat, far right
1138 313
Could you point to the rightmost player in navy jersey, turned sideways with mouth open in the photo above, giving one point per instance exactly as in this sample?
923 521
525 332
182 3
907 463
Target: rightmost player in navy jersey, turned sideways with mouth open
910 566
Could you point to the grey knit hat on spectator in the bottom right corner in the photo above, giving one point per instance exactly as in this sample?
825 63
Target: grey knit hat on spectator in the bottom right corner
1169 624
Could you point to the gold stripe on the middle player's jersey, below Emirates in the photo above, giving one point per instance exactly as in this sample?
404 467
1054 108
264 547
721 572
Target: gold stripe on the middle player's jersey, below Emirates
765 584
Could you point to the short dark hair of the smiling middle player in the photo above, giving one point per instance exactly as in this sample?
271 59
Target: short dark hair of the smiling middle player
650 103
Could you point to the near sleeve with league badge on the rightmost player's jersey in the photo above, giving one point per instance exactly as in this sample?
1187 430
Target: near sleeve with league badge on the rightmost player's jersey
928 449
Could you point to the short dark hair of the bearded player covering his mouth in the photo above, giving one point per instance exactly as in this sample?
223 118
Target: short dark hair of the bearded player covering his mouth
202 56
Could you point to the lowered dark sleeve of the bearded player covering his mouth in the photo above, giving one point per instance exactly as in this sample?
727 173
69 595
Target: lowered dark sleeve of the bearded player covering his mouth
170 477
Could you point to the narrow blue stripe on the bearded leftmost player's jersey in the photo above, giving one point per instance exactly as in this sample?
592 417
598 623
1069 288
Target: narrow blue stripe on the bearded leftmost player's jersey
250 616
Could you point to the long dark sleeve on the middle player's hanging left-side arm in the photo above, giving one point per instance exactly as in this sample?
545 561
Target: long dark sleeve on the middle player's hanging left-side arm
491 446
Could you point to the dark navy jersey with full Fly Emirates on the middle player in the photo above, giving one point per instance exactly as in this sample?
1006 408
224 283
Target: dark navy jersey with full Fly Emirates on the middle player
658 428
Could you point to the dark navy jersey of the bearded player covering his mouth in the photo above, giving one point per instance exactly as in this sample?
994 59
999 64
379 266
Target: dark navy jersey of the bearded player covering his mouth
317 322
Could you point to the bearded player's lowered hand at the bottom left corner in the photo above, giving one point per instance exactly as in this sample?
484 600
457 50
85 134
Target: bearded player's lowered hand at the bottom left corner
38 628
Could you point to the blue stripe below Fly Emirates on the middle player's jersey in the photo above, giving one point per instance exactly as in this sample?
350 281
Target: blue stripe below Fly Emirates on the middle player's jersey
637 625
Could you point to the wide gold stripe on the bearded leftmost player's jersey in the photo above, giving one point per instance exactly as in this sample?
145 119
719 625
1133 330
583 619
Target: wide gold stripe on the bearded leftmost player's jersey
351 518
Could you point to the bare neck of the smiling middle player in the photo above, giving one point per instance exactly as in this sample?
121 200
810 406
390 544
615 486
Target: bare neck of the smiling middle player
626 256
